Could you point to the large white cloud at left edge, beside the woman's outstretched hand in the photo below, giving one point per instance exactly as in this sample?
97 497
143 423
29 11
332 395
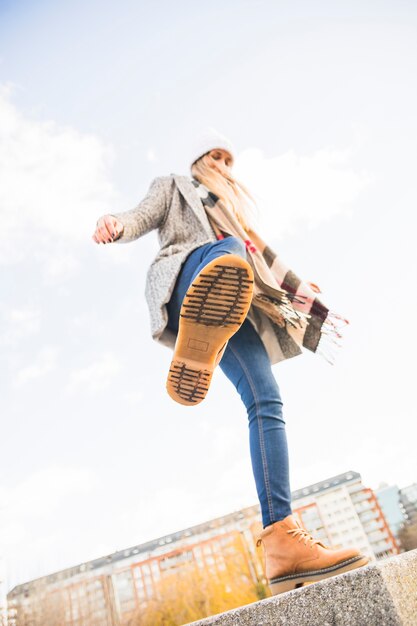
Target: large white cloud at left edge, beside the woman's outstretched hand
53 187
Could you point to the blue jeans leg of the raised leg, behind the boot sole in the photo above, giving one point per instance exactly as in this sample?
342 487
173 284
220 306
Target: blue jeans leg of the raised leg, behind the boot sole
193 264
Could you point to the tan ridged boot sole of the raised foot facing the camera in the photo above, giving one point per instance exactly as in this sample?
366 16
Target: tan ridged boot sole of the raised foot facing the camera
213 309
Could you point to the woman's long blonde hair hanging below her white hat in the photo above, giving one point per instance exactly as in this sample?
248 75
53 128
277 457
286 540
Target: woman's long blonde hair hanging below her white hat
233 193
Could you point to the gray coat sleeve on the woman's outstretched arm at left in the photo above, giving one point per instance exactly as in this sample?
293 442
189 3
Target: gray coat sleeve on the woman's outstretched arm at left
147 215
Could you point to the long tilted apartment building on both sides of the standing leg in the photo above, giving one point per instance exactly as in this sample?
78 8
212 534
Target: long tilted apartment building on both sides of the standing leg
340 511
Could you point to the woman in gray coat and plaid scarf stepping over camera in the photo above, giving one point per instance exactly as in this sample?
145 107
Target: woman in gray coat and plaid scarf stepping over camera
219 296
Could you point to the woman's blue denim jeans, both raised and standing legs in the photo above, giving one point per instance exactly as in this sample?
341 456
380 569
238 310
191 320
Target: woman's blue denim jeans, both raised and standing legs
246 363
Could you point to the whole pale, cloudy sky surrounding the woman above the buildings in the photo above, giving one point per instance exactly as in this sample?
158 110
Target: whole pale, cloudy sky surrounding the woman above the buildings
97 98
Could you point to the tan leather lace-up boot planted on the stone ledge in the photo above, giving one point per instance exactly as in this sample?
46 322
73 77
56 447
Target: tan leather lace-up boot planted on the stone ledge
293 557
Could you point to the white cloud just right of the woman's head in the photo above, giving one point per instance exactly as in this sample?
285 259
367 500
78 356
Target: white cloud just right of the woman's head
290 188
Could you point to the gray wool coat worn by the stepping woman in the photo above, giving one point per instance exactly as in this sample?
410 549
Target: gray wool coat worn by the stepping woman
173 207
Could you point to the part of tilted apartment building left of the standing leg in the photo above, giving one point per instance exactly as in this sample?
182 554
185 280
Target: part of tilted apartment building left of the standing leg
107 590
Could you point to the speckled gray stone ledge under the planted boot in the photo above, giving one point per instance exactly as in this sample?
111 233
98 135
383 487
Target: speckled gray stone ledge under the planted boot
383 593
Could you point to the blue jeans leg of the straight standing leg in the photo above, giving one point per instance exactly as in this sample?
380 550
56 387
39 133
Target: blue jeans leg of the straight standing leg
247 365
